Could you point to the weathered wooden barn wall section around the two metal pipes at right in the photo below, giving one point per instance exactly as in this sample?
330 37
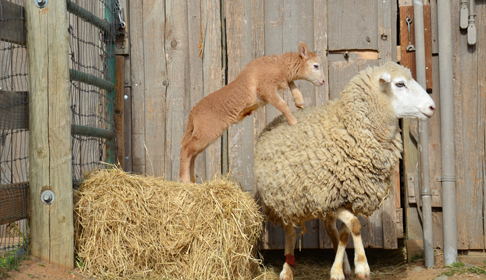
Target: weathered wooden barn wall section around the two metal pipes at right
469 105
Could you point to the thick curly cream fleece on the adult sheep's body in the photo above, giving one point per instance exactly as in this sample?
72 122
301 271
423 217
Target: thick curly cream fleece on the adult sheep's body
342 153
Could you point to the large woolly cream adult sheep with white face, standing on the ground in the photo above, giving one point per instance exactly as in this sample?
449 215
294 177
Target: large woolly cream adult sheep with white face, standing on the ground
337 162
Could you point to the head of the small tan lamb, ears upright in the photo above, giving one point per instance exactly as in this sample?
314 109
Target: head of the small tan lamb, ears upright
311 69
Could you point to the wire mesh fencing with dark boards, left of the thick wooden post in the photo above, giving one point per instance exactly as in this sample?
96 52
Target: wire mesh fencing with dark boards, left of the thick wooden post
14 135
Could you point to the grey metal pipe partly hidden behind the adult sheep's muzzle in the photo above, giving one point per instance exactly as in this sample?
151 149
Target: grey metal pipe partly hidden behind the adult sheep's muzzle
426 193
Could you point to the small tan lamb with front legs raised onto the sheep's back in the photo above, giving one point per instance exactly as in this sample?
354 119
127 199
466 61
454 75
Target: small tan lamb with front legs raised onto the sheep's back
258 84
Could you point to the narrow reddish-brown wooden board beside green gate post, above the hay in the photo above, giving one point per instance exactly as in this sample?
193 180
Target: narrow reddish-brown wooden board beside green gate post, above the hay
120 108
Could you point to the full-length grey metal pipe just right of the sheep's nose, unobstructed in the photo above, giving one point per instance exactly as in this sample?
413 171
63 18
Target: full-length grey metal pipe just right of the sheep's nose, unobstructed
447 131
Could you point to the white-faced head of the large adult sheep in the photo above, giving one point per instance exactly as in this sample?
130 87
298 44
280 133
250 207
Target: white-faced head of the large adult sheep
408 98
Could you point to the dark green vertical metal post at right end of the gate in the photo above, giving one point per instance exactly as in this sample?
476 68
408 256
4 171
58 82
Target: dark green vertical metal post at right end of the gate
110 95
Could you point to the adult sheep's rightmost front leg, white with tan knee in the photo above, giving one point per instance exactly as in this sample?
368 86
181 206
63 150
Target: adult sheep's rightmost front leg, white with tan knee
361 264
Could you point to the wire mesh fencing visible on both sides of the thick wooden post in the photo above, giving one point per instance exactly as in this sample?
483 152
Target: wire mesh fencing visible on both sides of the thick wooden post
91 61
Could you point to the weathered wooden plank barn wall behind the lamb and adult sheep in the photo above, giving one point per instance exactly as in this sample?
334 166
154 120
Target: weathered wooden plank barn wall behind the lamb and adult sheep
178 55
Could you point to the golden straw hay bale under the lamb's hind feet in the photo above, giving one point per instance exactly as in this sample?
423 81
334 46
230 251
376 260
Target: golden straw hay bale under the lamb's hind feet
131 226
